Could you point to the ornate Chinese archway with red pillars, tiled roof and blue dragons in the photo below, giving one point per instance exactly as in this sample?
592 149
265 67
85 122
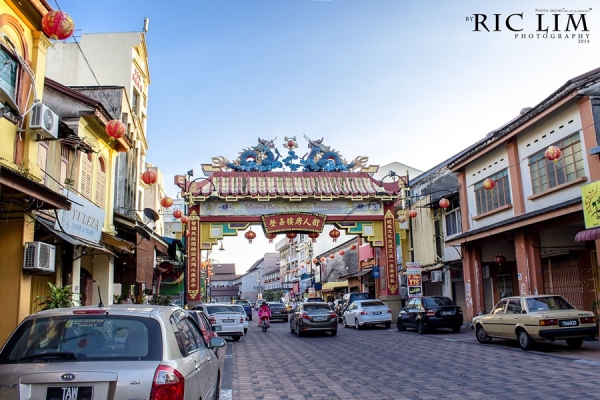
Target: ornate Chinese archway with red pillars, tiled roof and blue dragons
319 188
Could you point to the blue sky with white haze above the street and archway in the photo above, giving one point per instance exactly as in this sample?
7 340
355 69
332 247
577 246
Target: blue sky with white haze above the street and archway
394 80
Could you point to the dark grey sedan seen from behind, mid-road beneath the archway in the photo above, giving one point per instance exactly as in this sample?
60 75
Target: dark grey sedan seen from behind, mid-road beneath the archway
311 317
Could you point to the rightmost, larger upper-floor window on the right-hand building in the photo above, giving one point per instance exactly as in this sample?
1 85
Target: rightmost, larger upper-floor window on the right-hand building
546 174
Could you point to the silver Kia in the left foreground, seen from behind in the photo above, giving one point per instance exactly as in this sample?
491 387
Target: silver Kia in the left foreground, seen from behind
56 353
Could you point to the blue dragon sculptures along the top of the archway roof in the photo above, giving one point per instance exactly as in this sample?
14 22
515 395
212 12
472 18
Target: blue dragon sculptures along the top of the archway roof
265 157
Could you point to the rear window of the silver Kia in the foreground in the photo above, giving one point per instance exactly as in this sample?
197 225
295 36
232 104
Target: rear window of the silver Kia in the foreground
84 338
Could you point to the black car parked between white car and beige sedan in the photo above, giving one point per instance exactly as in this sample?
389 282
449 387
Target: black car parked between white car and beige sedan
430 312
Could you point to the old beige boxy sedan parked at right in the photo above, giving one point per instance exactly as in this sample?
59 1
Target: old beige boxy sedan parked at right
536 317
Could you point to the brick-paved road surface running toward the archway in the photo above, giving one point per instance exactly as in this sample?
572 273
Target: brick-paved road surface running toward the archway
387 364
